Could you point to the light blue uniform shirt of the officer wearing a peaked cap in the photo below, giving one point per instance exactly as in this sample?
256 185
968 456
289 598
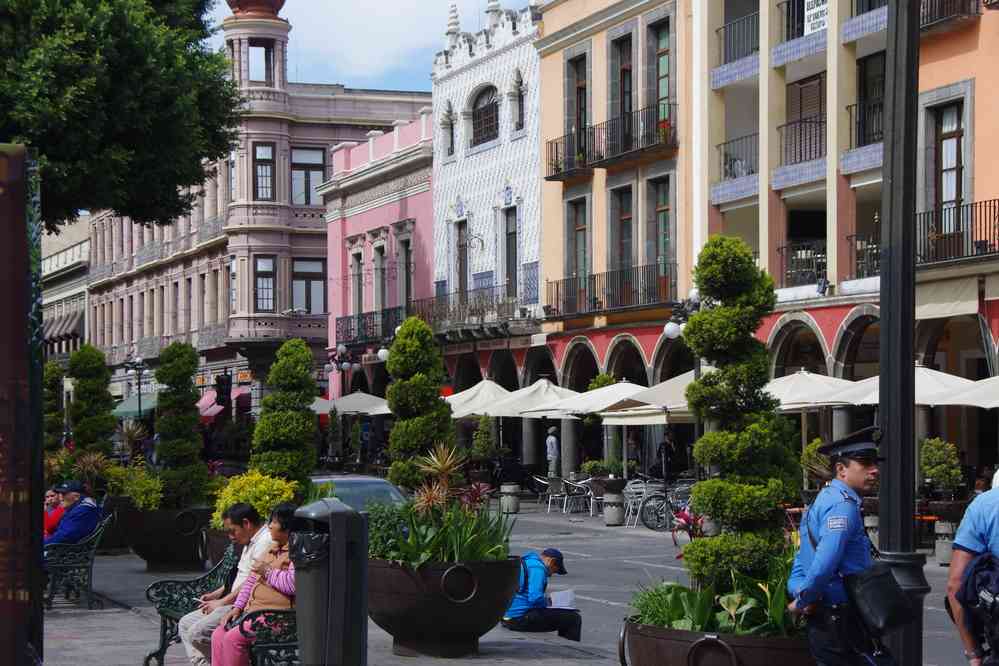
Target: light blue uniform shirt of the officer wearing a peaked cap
835 523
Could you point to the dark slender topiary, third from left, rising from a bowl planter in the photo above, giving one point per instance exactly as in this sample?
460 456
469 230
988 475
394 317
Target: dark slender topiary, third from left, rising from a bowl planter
178 452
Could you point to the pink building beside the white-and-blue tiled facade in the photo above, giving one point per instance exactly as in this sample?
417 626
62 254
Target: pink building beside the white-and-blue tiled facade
379 221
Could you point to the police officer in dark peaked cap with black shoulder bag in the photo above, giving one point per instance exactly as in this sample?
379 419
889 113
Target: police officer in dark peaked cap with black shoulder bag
834 544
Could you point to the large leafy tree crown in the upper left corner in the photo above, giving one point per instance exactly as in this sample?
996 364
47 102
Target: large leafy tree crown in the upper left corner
122 100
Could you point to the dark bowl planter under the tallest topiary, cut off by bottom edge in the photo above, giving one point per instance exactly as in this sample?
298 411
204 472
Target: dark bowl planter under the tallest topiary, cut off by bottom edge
644 645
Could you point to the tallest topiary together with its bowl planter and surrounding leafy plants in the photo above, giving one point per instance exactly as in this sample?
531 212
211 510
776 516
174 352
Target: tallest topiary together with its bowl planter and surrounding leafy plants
754 451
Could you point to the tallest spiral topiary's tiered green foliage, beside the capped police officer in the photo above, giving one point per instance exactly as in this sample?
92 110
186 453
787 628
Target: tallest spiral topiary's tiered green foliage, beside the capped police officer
751 453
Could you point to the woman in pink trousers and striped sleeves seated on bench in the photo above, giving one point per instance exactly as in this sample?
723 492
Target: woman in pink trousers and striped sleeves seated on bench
271 585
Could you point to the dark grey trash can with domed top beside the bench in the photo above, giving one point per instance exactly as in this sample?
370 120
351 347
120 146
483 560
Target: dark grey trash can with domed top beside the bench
329 546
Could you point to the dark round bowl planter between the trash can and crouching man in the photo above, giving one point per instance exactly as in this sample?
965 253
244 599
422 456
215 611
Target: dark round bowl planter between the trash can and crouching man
440 609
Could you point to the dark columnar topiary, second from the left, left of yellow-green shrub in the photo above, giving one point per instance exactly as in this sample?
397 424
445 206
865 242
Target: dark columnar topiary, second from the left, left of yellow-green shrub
90 414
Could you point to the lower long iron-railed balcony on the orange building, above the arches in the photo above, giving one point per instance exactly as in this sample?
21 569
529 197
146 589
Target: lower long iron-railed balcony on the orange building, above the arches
638 286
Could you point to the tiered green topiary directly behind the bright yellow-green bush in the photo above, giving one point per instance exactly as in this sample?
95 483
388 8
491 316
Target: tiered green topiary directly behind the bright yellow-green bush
285 435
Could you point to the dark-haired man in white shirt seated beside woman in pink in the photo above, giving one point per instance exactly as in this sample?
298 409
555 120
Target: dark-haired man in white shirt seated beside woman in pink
244 527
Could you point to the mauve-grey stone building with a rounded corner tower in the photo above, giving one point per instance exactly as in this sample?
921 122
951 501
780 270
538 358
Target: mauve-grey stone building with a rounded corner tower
247 269
